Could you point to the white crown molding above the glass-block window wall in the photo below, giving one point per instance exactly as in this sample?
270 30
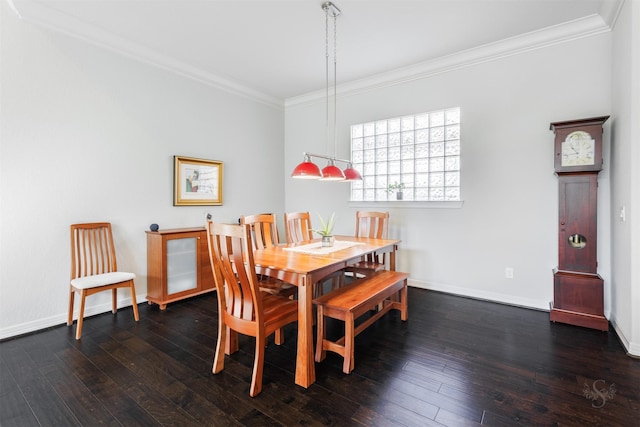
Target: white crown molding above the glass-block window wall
539 39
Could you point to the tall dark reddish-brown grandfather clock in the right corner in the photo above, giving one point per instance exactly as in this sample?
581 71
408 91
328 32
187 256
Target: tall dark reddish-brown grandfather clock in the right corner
578 297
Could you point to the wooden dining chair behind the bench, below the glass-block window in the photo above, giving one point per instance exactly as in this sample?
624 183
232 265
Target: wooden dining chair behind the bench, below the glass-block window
374 225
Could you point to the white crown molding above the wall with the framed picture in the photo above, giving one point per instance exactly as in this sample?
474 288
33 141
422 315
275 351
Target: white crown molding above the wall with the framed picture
39 14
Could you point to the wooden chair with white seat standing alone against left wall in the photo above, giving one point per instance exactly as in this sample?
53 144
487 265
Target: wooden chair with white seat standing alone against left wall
94 269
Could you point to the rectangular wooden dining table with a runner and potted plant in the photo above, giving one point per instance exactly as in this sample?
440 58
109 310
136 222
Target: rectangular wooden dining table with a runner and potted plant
304 265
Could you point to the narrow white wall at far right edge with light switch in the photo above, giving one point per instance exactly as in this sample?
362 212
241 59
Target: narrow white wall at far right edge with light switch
625 177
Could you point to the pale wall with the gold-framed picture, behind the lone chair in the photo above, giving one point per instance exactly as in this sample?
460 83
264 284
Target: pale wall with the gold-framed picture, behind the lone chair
90 135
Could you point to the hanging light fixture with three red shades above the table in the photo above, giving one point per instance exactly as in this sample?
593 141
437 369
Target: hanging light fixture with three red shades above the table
307 169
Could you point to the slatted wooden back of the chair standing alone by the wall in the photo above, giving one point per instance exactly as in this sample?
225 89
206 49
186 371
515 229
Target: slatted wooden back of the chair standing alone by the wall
92 249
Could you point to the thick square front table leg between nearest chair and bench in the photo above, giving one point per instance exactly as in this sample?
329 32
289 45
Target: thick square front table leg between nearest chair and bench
305 365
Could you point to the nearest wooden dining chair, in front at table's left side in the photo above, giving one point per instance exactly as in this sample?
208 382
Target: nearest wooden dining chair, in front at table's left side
242 307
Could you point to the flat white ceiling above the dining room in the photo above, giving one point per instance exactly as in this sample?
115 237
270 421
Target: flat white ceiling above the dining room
275 49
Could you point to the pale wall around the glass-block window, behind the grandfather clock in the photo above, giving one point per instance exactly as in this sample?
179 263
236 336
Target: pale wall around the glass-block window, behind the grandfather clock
510 191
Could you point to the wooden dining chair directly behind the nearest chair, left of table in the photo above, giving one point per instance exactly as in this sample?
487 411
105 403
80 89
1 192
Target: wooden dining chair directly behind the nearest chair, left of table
264 234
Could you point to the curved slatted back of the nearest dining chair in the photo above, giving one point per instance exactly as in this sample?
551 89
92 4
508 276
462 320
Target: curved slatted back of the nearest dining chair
231 256
